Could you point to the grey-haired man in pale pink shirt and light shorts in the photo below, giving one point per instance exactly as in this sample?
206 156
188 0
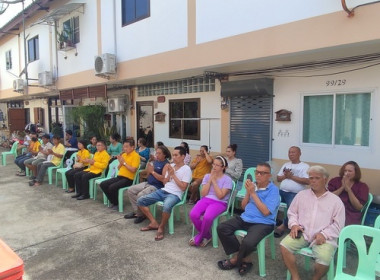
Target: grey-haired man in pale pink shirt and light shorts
316 217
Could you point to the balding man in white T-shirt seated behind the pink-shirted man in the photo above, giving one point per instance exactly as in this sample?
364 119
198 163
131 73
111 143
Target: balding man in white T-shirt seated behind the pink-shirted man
293 177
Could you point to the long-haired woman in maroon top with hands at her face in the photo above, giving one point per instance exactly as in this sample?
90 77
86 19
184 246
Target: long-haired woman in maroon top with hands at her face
351 190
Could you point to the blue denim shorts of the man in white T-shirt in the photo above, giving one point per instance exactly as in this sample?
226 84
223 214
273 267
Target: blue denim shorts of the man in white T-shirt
160 195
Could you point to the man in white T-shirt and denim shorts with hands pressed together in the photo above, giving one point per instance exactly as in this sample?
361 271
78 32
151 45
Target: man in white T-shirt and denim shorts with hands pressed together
177 177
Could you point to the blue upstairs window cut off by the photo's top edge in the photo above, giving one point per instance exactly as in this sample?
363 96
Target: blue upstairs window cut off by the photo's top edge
134 10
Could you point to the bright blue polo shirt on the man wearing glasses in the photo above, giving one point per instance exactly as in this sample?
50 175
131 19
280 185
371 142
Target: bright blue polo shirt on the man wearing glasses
271 198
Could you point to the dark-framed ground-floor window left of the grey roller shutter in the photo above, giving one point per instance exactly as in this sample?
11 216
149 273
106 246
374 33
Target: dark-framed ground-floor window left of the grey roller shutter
184 119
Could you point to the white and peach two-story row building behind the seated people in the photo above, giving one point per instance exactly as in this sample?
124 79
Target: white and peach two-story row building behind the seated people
208 73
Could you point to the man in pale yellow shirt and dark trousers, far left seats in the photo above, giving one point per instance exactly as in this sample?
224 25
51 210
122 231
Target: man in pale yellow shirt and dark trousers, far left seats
56 154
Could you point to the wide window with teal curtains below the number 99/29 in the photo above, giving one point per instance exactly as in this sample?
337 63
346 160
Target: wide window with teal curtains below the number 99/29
339 119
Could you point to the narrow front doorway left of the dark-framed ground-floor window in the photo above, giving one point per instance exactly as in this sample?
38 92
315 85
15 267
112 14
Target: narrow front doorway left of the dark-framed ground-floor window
145 124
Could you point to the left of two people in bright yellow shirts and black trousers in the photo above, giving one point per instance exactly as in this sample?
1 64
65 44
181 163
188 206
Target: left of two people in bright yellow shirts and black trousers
96 166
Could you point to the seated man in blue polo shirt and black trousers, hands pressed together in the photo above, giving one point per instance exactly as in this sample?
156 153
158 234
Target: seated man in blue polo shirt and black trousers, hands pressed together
260 205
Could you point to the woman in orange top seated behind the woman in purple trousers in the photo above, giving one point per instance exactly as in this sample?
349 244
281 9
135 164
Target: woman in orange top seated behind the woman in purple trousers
201 165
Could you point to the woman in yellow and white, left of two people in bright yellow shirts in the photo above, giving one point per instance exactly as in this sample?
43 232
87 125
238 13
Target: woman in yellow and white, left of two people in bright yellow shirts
78 166
